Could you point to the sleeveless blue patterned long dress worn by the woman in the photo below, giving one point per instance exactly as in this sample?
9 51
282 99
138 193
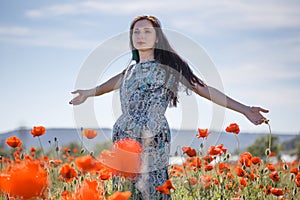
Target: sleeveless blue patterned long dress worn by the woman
145 96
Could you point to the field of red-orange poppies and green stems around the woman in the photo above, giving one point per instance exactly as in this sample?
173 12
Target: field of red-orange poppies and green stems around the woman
75 174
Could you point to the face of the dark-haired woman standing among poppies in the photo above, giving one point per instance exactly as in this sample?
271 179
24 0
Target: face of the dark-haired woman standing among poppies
143 35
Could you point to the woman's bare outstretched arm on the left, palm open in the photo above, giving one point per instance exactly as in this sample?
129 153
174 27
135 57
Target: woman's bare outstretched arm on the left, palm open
108 86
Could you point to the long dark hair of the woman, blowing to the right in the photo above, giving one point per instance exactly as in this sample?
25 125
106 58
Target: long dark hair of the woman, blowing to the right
166 55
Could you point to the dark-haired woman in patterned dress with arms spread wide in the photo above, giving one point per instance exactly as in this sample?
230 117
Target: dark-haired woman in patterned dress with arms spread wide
146 89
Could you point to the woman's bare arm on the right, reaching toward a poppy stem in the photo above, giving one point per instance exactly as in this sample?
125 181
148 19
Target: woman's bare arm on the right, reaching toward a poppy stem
252 113
